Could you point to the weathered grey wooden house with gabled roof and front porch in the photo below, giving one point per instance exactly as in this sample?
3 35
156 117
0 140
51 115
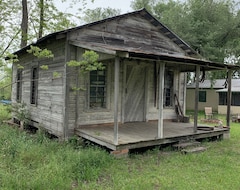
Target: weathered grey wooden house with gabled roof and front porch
143 81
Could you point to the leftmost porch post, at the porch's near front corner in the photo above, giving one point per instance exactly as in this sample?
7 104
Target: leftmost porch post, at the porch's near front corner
116 98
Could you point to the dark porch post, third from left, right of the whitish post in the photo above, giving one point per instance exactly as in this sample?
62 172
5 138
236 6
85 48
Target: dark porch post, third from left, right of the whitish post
196 99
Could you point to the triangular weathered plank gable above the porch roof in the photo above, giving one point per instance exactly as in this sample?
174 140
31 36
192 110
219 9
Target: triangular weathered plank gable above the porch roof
133 33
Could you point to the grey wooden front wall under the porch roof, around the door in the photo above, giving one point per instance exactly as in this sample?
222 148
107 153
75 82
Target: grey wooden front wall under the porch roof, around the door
127 111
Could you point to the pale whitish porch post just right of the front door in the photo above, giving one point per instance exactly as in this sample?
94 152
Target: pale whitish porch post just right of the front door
160 100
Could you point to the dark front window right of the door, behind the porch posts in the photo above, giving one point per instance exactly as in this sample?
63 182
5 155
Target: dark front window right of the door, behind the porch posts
168 89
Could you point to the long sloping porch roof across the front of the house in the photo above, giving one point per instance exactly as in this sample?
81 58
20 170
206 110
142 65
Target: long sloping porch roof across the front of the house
178 61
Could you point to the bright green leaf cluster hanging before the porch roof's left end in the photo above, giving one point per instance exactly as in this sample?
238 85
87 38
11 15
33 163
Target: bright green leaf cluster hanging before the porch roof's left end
88 63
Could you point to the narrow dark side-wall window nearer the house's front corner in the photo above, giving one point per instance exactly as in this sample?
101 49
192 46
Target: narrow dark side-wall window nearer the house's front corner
34 85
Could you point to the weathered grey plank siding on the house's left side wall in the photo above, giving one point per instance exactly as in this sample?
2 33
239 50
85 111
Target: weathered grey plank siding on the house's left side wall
48 112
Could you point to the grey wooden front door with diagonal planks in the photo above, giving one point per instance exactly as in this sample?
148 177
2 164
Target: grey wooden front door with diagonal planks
135 93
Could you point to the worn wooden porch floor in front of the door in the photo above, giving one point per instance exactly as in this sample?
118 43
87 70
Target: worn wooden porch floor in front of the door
143 134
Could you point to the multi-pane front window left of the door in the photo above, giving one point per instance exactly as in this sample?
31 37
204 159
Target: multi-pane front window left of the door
97 89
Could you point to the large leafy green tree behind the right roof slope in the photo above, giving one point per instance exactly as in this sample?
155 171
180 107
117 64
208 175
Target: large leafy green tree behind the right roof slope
211 27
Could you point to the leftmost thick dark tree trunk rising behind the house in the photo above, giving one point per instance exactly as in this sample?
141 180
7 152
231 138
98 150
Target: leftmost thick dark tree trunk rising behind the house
24 24
